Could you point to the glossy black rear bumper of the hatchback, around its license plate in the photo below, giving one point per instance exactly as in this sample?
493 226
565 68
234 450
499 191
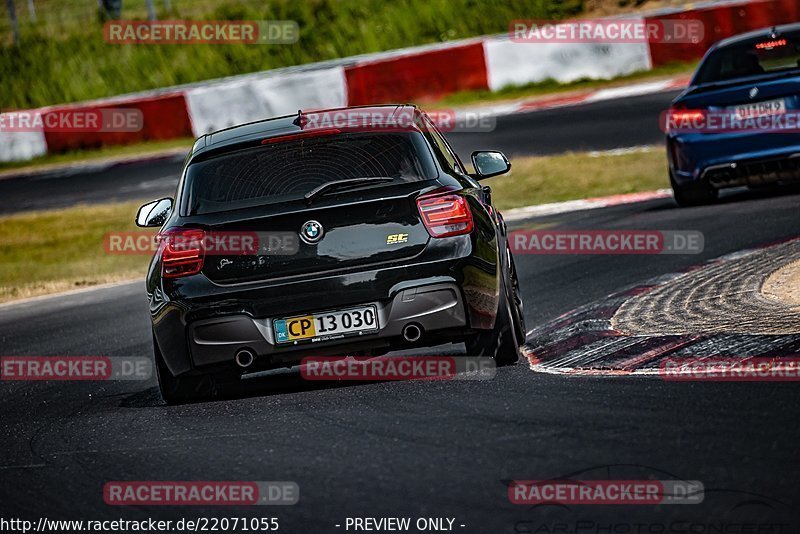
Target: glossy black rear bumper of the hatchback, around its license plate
448 291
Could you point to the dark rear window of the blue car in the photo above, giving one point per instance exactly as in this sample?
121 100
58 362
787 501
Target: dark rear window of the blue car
753 57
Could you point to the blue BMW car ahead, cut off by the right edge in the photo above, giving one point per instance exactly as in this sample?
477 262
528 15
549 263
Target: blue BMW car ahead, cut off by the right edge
737 122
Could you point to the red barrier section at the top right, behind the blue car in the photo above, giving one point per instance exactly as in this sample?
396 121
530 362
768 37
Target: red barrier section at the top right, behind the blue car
720 23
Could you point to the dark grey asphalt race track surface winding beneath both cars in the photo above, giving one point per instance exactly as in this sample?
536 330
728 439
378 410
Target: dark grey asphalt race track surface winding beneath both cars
444 449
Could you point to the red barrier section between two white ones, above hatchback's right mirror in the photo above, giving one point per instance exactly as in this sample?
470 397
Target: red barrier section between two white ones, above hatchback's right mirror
422 76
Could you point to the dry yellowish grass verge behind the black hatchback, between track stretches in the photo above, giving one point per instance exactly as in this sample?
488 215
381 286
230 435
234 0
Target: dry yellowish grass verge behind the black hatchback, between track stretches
58 250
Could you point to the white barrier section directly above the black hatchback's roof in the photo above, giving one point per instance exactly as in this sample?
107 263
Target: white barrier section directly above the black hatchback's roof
254 98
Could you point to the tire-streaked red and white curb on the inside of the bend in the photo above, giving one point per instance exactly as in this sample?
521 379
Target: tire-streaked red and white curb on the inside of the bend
633 331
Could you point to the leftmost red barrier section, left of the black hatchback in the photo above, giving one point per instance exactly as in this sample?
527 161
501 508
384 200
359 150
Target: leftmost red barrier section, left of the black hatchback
164 117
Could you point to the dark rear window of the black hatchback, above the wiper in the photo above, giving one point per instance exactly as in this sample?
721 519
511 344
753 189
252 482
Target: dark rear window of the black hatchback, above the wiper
284 171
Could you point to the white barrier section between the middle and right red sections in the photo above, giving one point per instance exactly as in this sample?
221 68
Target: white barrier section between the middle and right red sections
519 63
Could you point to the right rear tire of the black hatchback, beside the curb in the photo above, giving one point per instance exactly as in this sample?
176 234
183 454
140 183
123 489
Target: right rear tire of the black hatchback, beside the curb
501 342
